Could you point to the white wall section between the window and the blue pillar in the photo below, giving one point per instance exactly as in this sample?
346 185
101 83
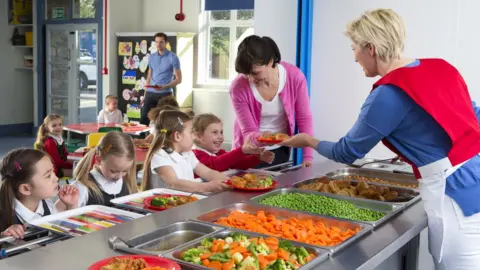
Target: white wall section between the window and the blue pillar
278 20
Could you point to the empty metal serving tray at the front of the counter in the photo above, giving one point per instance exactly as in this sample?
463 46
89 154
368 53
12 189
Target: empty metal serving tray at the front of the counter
165 239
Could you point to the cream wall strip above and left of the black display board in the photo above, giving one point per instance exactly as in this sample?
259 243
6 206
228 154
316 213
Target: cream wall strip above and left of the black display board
122 17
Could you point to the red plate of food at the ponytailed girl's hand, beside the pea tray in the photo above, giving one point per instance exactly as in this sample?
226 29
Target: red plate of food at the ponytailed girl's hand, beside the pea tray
252 182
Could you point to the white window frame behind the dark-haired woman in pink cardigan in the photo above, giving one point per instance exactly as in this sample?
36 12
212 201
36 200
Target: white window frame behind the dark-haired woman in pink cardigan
204 50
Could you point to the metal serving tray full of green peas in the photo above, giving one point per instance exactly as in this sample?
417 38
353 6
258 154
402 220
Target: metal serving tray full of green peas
348 208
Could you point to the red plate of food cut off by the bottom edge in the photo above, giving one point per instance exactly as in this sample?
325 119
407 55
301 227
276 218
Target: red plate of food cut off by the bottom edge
135 262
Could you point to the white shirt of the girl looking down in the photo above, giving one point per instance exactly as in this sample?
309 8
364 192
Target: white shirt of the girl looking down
110 187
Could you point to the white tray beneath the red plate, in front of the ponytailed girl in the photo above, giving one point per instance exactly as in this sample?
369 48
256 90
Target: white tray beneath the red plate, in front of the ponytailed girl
135 201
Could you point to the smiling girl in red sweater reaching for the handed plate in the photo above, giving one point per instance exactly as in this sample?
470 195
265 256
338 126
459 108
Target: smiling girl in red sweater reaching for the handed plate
209 138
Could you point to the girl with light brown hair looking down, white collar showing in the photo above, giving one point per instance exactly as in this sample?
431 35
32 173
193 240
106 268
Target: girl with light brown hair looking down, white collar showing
114 172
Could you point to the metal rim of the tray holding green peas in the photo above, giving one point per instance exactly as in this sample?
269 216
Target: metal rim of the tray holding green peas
390 209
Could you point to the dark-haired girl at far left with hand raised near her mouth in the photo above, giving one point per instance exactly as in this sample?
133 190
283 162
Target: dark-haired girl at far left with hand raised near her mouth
28 181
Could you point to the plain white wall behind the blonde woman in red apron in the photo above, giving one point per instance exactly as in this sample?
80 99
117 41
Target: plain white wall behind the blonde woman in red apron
435 28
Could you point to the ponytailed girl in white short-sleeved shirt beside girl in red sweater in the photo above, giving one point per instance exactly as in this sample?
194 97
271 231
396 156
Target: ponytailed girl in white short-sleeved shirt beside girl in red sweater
170 161
